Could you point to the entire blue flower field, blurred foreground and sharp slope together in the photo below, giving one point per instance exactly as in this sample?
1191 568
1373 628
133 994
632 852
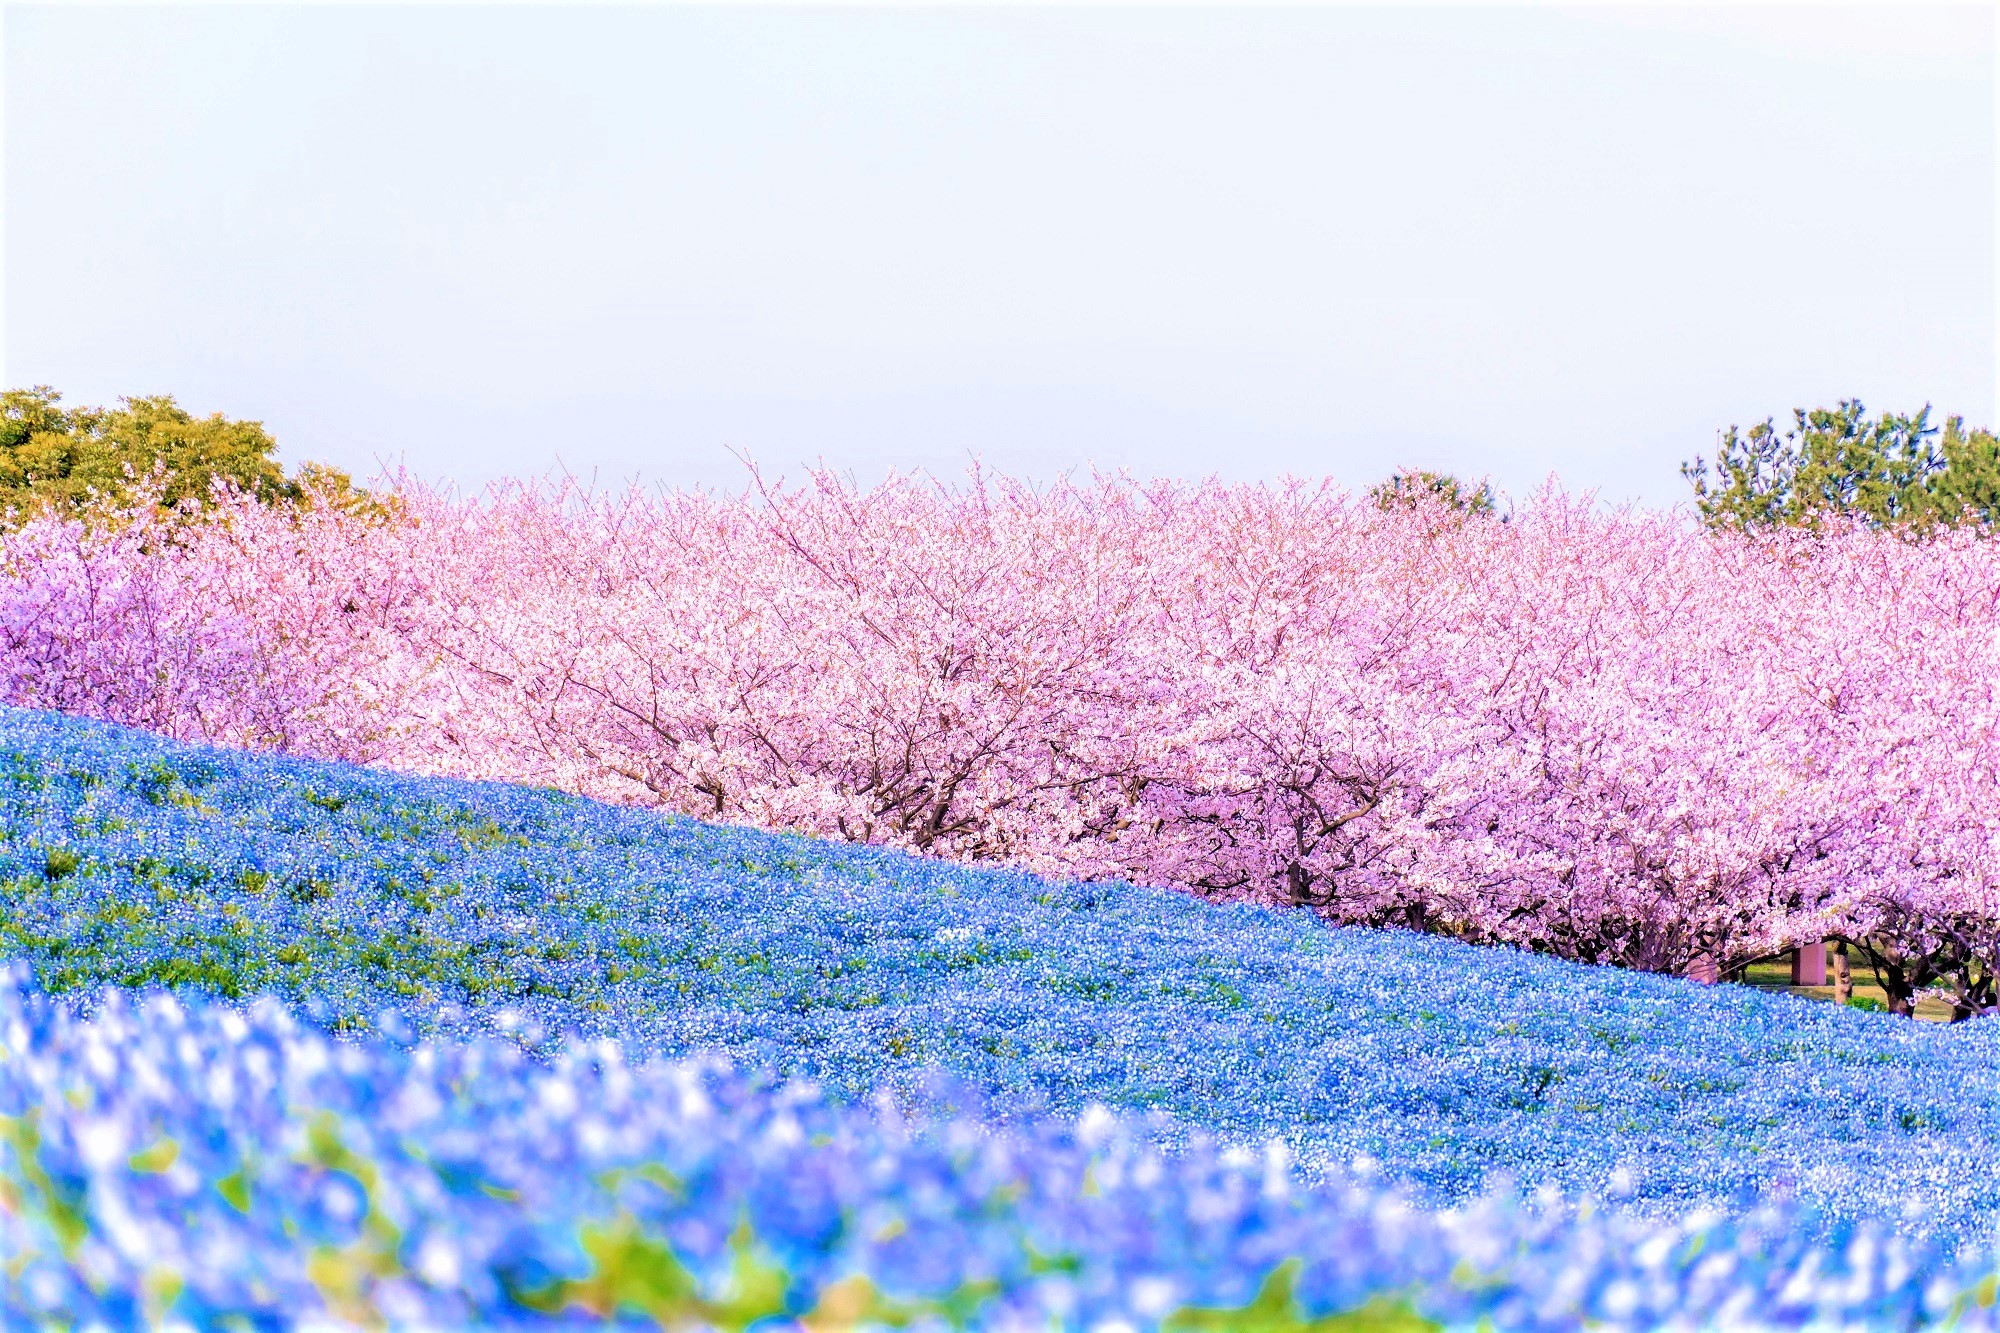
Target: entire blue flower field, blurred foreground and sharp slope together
445 1054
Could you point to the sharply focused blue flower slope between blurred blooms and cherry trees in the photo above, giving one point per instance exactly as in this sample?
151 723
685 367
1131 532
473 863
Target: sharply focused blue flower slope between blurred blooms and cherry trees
381 902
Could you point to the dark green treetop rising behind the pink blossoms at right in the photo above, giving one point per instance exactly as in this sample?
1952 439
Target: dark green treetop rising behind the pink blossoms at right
1891 471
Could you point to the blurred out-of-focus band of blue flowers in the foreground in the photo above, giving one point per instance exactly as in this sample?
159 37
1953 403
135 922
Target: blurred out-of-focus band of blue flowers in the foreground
465 1184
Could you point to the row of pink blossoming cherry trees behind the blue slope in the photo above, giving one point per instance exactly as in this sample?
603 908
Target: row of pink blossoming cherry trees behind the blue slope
1599 736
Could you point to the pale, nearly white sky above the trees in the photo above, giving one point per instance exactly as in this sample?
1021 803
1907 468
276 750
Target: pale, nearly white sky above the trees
641 243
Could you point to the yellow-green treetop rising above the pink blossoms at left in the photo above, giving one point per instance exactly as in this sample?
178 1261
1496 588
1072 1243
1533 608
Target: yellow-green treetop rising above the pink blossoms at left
57 459
